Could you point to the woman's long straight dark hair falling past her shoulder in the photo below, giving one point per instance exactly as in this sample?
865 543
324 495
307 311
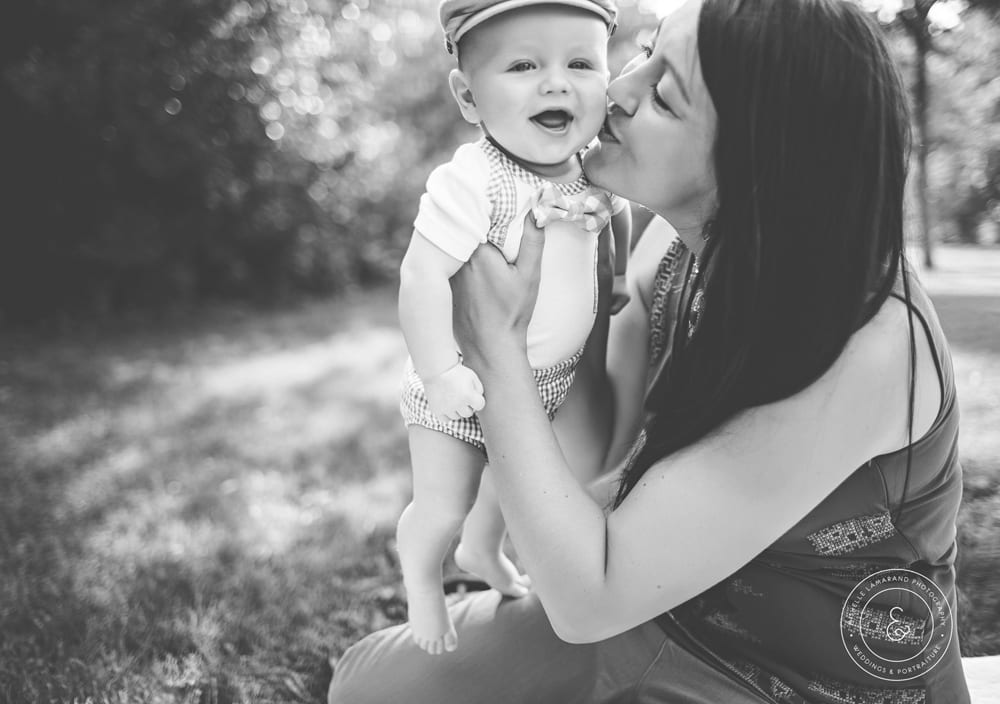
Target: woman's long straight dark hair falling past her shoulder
807 239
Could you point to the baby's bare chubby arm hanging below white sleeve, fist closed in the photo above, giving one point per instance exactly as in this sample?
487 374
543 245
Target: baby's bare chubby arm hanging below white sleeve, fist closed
425 316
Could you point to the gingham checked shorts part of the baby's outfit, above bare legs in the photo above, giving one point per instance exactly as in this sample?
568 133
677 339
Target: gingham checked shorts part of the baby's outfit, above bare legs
553 385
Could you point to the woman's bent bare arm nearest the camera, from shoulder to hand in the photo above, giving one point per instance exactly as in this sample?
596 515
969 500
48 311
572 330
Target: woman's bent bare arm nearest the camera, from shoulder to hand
698 515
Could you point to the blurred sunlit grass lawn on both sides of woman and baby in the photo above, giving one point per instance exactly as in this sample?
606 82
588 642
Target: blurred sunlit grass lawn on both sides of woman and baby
202 510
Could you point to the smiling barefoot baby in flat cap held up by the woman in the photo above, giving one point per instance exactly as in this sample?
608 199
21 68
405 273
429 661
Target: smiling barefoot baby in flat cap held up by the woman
533 75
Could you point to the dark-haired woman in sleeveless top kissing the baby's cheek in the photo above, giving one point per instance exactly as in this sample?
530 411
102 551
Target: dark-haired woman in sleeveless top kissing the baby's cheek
784 528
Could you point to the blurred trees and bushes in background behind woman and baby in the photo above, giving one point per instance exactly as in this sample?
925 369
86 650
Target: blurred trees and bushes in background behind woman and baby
166 152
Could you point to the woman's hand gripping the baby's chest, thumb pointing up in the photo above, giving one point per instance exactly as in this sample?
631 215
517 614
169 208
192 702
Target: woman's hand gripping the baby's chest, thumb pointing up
493 300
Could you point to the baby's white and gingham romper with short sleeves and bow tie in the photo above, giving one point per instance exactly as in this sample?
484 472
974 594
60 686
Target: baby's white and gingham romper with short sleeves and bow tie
482 195
